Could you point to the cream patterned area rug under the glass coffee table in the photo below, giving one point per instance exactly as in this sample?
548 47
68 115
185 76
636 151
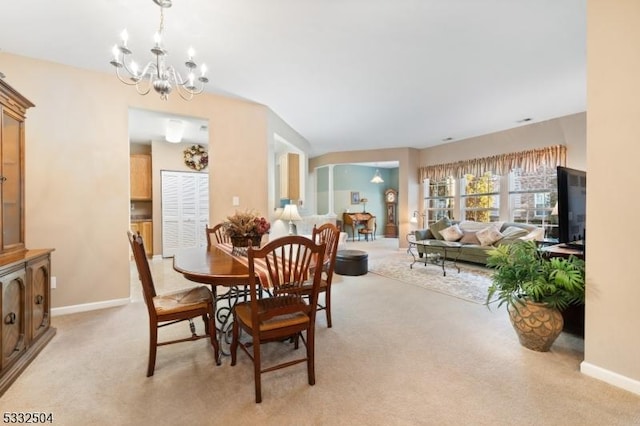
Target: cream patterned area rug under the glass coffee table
470 284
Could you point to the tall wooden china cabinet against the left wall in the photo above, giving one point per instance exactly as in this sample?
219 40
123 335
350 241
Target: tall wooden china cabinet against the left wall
25 280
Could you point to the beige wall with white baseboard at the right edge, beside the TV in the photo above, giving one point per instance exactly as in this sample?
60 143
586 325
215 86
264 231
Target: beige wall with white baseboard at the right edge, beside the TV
612 336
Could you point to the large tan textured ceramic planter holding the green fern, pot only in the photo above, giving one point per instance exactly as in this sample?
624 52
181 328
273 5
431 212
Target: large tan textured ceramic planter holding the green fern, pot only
536 325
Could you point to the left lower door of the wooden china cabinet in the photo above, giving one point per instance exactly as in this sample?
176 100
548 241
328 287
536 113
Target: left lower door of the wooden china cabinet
13 316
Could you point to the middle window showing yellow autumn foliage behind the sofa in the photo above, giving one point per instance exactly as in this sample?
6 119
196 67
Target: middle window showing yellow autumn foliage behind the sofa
480 197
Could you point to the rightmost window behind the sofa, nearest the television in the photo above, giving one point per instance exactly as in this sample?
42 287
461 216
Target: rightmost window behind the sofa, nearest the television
532 197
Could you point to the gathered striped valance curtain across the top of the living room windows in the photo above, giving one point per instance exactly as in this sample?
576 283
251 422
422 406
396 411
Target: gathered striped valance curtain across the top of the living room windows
528 161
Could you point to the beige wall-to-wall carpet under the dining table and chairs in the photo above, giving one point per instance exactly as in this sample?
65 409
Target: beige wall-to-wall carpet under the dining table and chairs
397 355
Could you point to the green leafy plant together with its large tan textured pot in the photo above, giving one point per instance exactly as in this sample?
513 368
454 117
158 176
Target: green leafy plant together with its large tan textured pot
535 290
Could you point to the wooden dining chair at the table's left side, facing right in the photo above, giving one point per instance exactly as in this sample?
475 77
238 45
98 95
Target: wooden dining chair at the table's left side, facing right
172 308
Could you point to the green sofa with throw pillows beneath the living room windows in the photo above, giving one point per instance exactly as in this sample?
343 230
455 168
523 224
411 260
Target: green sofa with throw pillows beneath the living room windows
477 238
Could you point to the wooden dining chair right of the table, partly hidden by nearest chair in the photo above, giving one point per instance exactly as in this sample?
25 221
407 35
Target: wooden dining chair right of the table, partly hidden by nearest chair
329 234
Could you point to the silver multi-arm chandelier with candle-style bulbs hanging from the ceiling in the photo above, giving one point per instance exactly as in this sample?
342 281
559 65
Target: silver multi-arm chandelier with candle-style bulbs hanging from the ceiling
157 74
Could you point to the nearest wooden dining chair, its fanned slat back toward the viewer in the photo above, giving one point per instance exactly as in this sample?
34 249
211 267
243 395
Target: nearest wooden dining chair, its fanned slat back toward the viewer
286 263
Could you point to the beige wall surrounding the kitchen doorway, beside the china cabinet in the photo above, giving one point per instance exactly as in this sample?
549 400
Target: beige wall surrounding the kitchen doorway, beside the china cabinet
77 177
